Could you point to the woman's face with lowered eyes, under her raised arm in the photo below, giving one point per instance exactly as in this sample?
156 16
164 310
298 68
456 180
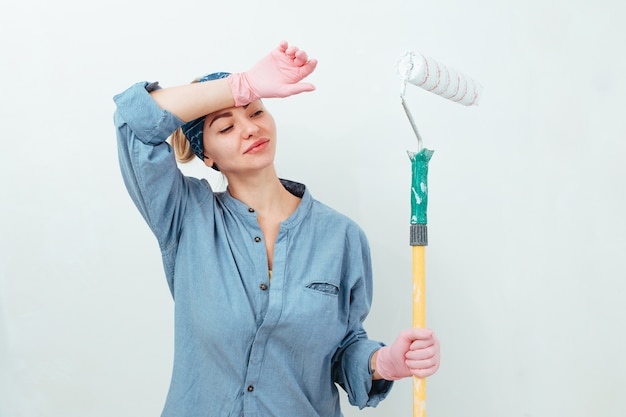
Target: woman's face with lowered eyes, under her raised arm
240 139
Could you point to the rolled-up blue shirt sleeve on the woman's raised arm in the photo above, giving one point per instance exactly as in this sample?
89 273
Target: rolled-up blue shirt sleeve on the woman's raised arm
156 185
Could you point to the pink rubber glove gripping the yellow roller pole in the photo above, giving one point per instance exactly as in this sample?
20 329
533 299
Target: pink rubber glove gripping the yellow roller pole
415 352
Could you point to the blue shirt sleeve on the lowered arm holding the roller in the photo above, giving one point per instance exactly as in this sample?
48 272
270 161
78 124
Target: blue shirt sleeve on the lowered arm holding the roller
351 362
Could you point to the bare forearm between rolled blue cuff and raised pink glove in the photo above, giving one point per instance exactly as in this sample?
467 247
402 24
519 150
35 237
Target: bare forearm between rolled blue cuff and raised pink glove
190 101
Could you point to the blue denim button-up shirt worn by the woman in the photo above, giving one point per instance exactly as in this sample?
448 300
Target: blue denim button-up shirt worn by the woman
245 346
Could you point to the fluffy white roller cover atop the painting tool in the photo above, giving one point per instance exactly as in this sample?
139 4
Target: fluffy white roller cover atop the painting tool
432 76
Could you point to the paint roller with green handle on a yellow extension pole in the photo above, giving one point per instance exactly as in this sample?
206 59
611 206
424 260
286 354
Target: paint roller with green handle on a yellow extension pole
445 82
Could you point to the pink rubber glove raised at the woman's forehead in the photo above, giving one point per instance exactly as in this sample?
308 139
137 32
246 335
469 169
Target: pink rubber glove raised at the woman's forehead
277 75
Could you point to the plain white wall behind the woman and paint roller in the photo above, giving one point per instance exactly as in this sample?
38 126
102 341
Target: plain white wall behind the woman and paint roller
525 267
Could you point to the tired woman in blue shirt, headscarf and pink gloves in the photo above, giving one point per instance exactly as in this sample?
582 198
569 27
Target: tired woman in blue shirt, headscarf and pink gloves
271 287
